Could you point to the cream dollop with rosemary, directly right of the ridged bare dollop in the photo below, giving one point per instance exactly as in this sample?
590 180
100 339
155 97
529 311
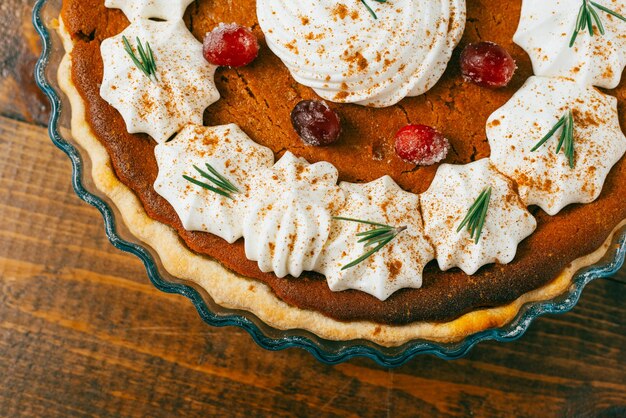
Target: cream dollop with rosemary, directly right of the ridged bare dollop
396 266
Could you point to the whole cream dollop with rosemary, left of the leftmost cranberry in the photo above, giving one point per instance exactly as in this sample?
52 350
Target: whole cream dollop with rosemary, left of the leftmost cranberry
181 89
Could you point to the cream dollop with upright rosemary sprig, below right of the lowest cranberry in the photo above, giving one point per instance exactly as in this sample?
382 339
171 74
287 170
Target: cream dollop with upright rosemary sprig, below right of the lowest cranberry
447 202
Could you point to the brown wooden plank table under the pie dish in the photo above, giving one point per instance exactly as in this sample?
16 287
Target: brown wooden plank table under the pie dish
83 332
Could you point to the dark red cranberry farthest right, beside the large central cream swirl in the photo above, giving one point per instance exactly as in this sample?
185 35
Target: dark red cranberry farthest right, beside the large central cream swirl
487 64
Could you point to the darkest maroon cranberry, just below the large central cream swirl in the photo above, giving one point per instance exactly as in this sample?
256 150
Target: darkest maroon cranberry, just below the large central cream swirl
316 123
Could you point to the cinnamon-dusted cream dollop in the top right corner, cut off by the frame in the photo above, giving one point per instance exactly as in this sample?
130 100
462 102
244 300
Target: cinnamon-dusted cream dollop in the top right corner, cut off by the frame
545 31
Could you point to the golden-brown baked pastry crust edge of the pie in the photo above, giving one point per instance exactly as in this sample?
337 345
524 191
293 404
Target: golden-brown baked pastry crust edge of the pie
236 292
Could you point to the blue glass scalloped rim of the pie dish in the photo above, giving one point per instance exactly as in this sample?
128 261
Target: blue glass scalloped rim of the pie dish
329 352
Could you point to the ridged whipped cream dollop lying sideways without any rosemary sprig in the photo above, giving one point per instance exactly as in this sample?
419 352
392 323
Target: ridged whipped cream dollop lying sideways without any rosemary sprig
288 218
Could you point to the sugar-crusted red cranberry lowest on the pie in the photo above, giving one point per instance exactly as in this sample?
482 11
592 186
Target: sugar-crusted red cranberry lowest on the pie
421 145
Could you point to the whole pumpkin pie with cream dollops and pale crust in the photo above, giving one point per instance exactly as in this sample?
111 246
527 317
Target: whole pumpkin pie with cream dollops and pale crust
547 213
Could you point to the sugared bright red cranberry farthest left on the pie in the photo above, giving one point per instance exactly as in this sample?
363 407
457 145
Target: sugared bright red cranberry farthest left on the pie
230 45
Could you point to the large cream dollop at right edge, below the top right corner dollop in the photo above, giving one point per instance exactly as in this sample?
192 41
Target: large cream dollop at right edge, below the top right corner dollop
545 177
